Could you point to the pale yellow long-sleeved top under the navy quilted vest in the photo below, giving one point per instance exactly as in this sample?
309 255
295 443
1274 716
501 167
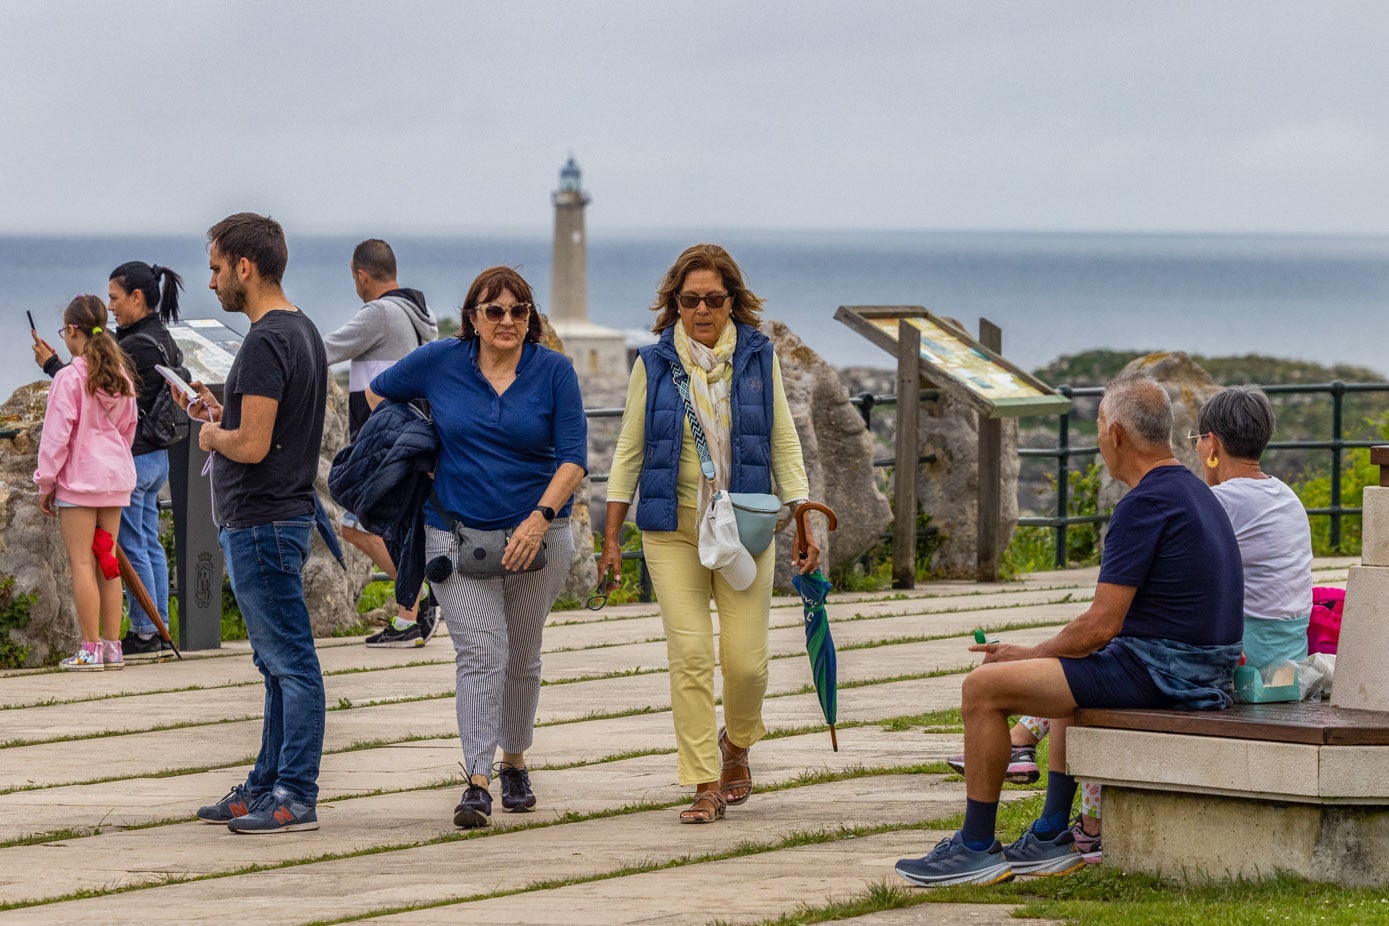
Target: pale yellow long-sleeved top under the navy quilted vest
788 467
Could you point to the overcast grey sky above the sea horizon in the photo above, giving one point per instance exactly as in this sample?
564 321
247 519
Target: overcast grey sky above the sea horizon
455 117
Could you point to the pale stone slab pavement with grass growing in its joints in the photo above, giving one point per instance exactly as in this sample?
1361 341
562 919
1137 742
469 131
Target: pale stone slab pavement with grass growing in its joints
102 775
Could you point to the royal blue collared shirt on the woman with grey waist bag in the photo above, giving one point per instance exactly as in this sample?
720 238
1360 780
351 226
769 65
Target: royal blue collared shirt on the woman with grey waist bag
498 453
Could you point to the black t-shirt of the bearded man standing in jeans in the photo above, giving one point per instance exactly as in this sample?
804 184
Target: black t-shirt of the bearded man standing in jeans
281 359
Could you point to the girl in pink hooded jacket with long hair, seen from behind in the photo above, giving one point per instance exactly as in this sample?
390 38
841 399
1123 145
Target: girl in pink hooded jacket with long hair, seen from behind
87 474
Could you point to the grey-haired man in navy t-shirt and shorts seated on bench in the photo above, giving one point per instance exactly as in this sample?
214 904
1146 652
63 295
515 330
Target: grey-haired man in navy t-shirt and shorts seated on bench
1165 631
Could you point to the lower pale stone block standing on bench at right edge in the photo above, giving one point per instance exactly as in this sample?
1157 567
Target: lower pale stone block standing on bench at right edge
1362 680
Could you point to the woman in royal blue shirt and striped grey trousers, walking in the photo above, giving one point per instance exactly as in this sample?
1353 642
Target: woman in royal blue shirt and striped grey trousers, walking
513 448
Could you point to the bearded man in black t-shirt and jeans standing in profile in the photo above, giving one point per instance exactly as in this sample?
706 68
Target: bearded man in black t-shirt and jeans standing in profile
265 441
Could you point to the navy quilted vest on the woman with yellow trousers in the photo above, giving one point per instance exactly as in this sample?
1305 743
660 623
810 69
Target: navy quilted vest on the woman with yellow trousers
752 428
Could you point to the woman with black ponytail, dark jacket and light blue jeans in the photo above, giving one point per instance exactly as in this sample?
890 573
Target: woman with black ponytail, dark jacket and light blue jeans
145 302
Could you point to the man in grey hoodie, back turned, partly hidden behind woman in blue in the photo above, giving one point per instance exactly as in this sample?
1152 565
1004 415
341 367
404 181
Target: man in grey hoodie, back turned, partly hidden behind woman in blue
391 324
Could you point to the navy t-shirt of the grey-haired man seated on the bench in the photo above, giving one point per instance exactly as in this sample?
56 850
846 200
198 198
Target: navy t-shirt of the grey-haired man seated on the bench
1170 539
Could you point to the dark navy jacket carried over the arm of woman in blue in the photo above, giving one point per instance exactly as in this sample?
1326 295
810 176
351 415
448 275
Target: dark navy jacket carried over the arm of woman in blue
384 480
